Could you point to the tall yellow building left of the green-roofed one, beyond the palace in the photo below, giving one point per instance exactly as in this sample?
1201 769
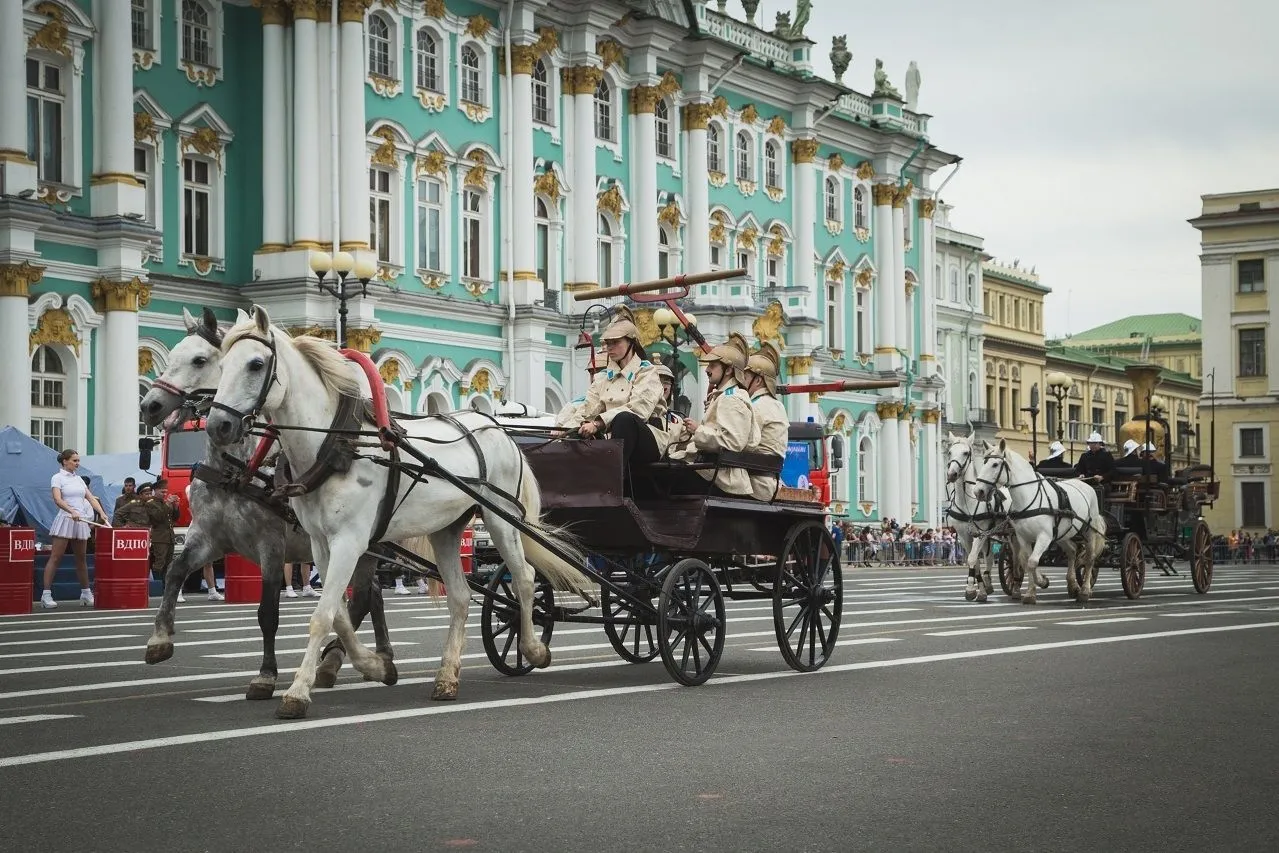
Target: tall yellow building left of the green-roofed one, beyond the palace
1014 348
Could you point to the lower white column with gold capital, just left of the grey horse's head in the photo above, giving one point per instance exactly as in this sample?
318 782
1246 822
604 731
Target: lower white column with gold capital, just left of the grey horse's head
117 364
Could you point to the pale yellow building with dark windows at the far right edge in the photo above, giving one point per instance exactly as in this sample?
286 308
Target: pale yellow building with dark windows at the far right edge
1240 264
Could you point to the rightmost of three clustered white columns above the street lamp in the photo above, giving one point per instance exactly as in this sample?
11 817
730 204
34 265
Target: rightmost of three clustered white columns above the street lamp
354 157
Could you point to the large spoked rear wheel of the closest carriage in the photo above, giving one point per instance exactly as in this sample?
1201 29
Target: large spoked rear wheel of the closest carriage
808 598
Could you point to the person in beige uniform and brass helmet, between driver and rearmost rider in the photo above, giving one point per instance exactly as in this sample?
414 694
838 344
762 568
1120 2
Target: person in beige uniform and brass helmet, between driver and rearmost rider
728 420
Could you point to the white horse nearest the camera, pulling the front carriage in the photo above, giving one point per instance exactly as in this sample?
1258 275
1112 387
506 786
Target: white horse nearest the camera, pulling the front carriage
299 386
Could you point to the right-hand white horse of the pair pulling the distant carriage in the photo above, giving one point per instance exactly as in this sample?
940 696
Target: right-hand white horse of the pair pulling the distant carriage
1044 512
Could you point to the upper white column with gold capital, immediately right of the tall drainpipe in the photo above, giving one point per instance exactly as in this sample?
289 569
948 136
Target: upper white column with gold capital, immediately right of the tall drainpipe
524 273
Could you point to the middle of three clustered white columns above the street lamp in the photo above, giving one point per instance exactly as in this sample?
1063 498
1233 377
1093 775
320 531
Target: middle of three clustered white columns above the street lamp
306 117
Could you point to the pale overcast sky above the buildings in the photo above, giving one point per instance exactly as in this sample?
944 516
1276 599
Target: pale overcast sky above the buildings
1089 129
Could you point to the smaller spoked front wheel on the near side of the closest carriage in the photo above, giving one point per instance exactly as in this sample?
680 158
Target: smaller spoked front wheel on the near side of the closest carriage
691 622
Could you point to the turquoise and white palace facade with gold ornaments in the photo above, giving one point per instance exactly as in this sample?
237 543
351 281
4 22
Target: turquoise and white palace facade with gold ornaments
492 160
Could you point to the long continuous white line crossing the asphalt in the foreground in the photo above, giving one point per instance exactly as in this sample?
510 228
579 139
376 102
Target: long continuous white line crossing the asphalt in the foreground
576 696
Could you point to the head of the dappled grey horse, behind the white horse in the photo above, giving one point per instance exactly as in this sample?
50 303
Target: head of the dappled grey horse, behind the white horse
192 372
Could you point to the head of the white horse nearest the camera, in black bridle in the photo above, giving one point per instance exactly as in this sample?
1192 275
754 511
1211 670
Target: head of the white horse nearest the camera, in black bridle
249 380
